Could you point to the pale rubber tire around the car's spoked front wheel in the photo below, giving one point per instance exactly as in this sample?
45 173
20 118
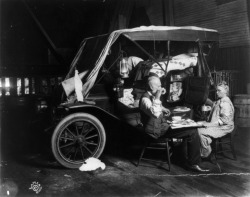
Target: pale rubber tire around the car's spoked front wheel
67 121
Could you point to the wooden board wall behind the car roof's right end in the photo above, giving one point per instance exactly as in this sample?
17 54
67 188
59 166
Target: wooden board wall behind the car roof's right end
231 19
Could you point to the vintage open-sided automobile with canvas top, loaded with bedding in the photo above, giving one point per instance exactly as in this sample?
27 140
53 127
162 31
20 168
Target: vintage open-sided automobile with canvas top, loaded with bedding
107 77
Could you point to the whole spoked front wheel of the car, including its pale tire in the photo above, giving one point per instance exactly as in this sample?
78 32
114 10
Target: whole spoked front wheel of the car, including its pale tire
76 138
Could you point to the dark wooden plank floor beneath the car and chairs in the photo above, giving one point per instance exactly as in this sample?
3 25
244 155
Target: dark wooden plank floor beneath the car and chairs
122 178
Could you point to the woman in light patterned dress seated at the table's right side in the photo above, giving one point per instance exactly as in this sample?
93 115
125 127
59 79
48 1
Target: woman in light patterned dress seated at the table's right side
220 120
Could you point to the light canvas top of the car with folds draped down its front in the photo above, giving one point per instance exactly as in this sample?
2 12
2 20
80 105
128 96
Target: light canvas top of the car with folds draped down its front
93 51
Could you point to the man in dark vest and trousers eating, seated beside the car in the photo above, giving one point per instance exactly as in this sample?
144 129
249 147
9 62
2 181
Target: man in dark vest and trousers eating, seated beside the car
156 126
